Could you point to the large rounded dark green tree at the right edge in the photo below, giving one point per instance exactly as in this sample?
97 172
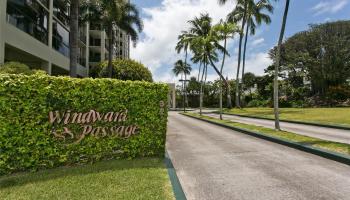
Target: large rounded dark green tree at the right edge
320 55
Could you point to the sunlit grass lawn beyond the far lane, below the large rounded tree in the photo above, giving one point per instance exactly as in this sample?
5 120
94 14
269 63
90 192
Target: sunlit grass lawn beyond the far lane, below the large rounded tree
333 116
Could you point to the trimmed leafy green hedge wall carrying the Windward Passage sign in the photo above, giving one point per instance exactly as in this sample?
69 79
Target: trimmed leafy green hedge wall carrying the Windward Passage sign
27 140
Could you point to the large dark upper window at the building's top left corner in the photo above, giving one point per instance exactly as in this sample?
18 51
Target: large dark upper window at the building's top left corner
30 17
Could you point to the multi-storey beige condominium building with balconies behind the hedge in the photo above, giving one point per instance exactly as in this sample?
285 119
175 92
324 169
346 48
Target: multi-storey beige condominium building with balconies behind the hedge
36 32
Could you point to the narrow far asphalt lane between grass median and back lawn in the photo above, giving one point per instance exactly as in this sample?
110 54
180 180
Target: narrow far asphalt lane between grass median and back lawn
331 134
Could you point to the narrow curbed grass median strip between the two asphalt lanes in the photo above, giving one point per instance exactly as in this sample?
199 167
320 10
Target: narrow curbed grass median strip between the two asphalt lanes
315 142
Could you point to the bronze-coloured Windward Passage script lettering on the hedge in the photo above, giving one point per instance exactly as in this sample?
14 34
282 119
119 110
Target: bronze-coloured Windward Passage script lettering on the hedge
86 121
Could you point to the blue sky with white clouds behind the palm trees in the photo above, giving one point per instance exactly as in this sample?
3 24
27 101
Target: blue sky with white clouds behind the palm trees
165 19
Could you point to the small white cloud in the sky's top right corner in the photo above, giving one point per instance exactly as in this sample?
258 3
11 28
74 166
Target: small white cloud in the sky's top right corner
330 6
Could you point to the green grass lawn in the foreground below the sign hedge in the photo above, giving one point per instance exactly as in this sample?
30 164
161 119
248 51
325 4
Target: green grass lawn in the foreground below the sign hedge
145 178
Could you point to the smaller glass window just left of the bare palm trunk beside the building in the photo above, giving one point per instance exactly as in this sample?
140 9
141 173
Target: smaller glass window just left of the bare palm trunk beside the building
60 38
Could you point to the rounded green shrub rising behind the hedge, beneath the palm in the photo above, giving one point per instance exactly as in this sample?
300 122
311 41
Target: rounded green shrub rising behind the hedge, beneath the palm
123 70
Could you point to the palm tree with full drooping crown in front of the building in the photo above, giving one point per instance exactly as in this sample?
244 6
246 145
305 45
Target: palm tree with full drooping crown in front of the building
111 15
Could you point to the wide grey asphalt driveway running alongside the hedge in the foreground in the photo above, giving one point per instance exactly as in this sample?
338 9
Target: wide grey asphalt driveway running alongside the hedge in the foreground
217 163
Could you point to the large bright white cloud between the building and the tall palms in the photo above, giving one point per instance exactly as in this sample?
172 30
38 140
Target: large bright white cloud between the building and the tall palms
162 26
